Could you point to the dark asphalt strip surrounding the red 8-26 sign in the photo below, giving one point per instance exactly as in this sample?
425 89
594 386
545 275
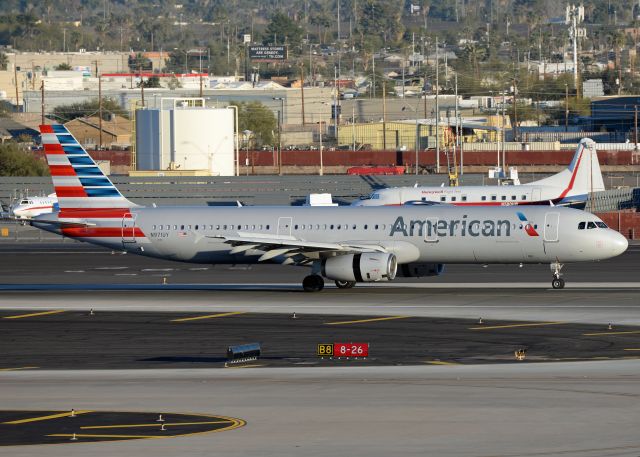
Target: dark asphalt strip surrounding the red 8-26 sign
130 340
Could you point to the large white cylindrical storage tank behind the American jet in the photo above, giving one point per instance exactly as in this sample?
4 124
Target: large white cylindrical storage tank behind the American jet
185 135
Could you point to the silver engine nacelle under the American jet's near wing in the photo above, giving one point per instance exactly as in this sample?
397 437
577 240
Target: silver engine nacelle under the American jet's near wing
365 267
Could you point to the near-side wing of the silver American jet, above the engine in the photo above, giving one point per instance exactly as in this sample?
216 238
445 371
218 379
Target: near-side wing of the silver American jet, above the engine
291 249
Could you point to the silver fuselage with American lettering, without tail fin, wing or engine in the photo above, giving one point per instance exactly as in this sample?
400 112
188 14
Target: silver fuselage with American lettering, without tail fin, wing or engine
441 234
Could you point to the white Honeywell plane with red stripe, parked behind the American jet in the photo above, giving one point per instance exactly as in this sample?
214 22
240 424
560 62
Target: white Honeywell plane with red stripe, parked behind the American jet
570 187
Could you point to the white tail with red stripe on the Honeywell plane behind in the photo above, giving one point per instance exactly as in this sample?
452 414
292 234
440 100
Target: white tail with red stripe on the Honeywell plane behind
583 175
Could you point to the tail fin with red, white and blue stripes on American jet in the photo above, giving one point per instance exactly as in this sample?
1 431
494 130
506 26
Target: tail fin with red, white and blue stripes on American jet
78 182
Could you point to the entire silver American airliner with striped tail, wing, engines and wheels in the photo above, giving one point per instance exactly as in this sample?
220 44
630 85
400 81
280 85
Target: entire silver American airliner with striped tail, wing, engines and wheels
343 244
